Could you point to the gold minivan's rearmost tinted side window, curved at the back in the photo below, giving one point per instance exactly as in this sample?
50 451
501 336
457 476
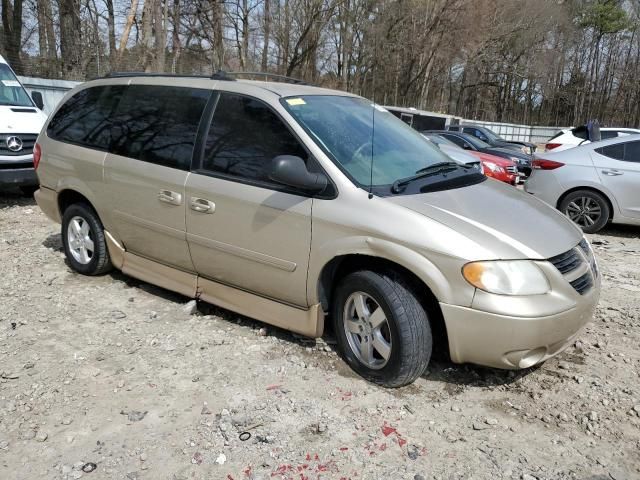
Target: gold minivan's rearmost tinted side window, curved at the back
85 119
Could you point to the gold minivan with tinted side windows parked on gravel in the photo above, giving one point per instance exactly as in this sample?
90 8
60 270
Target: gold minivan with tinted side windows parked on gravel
296 205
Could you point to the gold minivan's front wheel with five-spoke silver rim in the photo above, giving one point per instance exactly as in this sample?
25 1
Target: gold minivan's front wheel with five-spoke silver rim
381 328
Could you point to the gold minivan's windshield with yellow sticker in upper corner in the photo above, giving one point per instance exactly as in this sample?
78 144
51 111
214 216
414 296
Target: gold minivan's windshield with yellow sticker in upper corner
356 139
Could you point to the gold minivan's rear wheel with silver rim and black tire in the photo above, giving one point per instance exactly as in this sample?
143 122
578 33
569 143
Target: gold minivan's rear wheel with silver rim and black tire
83 240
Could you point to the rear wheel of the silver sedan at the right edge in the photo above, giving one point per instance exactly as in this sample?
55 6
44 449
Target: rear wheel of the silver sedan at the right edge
587 209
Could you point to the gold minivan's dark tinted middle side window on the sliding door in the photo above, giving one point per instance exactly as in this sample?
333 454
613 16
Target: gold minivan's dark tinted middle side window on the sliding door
158 124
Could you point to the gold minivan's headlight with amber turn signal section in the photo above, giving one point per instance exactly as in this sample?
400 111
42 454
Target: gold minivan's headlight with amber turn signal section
507 277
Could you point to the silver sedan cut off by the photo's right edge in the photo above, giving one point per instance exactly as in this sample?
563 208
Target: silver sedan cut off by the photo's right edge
593 184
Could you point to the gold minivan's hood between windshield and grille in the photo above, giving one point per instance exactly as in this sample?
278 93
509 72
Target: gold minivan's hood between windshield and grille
501 219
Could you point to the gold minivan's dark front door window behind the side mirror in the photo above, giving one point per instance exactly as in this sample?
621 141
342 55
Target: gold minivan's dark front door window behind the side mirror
244 137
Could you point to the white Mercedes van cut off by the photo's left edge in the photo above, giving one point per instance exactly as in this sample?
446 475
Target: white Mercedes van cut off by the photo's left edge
21 119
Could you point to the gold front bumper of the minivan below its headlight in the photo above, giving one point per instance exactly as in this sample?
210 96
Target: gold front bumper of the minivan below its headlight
513 342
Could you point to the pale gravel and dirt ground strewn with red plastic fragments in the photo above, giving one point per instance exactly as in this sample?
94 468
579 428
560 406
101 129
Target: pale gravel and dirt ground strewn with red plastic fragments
112 371
